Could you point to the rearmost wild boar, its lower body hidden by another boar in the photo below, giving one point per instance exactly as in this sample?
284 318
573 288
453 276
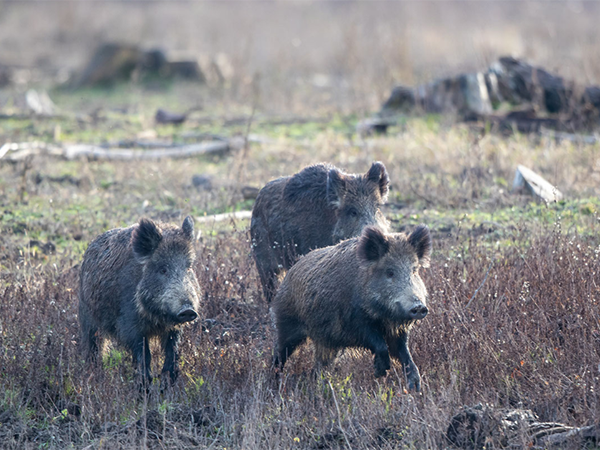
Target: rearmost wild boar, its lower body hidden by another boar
317 207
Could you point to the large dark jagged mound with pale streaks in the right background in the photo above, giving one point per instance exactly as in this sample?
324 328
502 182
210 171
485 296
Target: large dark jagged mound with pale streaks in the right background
508 80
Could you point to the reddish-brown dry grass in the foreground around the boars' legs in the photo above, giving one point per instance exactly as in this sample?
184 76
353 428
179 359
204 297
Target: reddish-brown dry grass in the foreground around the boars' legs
529 337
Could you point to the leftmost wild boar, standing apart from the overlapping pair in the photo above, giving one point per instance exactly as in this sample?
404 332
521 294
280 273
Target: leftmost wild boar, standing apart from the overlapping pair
138 283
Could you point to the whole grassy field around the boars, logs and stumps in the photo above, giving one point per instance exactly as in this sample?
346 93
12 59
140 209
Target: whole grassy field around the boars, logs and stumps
514 317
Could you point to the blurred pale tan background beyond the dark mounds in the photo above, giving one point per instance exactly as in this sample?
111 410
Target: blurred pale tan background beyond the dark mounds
289 55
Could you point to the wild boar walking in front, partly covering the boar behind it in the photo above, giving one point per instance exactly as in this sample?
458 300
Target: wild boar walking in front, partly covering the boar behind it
364 292
